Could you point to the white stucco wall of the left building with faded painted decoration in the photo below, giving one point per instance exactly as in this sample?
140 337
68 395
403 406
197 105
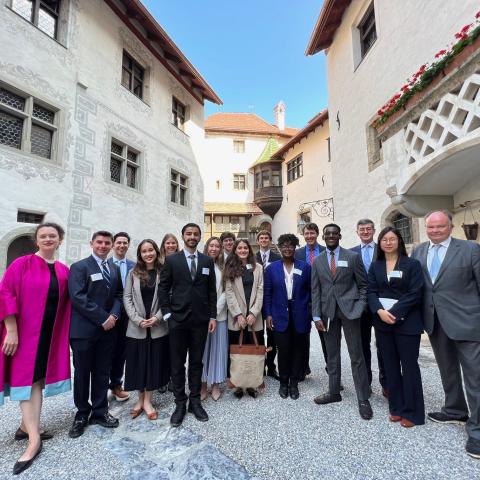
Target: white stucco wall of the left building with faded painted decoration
82 79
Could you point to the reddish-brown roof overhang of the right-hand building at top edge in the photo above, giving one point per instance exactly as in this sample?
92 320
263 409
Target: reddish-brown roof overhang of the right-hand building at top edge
327 23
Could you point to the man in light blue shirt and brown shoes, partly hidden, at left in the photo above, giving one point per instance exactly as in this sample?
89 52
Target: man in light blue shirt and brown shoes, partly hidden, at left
121 242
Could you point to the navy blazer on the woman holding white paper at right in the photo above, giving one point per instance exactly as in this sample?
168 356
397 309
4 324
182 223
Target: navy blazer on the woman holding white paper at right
407 290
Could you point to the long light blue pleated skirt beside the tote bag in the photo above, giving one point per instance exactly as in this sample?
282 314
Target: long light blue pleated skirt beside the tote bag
216 355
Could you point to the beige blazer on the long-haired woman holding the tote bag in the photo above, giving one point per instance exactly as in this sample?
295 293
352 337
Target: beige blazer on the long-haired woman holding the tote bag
237 304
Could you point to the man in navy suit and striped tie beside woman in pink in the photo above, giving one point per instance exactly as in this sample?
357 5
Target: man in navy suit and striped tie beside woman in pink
95 289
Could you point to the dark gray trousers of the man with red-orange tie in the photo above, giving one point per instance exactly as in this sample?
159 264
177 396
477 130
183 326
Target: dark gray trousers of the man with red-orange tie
353 337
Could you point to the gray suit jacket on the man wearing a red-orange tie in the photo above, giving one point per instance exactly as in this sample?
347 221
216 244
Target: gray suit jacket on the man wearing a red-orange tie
347 289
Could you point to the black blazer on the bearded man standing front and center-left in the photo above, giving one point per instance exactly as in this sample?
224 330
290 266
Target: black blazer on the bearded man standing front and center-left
181 296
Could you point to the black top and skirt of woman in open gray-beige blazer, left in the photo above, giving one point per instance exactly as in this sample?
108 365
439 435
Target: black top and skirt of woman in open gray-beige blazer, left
148 359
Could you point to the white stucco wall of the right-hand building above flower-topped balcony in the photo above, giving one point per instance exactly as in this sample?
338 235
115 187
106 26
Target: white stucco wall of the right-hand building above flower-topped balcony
409 34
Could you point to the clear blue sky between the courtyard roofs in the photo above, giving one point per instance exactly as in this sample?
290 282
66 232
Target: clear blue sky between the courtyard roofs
251 52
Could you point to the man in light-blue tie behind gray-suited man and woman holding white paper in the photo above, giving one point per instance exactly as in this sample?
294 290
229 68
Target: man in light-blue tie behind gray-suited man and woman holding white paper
368 251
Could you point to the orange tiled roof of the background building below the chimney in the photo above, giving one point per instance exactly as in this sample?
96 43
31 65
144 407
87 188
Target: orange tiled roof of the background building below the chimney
244 123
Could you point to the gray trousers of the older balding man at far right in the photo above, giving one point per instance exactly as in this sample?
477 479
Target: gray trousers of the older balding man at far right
450 356
